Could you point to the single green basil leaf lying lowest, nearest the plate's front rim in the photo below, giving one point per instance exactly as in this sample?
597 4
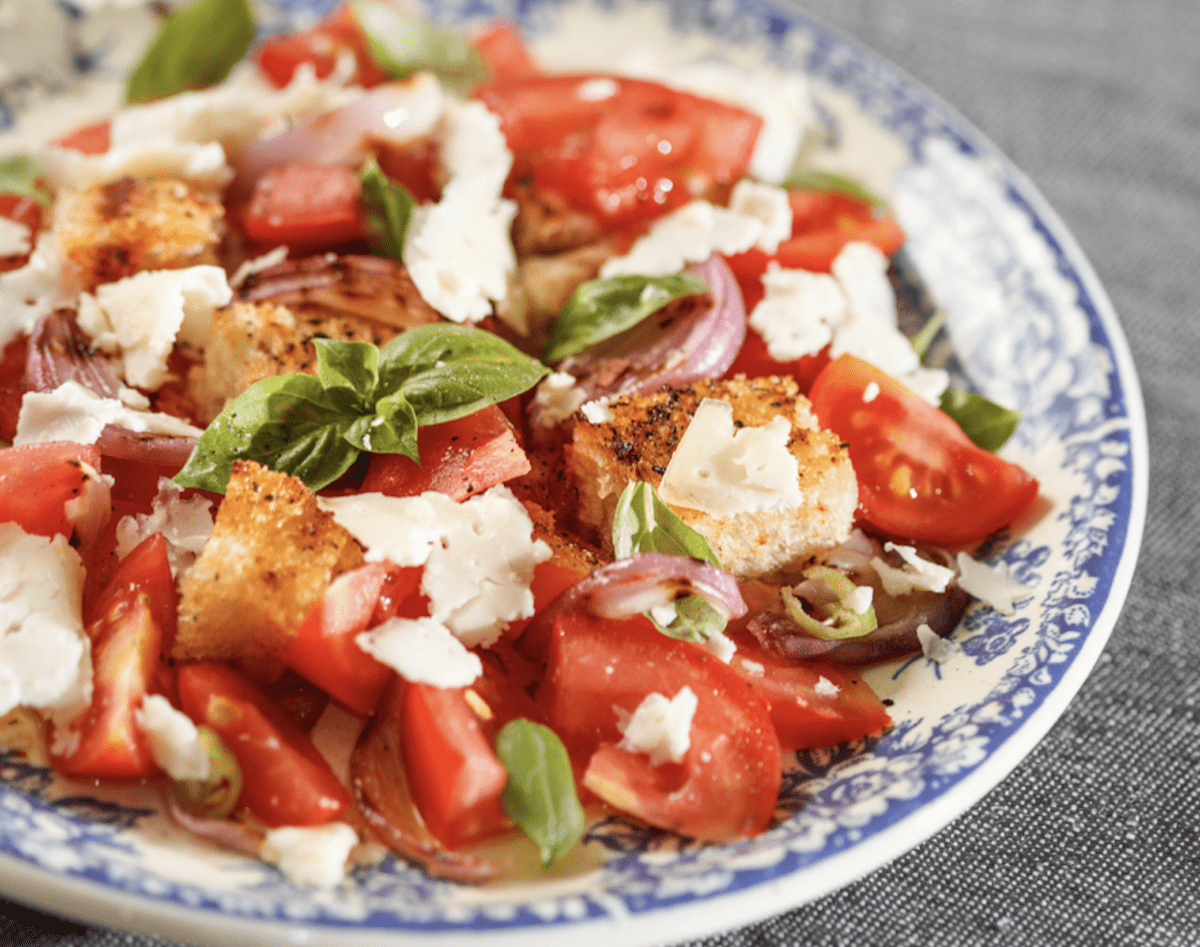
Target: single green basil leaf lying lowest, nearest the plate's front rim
541 794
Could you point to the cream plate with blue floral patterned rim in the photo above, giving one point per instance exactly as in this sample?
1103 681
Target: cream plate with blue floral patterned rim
1028 325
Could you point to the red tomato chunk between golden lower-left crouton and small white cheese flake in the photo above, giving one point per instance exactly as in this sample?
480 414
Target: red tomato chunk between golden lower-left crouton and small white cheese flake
323 650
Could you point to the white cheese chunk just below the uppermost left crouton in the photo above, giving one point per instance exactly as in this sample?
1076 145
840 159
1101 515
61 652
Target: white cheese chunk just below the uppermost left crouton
143 315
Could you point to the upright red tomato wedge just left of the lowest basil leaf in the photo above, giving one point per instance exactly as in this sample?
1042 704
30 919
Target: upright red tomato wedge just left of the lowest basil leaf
454 775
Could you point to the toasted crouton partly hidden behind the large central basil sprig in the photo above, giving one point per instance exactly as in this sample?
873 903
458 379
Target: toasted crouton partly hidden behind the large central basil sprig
251 341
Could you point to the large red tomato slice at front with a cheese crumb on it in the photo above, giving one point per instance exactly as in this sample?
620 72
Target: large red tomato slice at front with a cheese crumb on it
728 783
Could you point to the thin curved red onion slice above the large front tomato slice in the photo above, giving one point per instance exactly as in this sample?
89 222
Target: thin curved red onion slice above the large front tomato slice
633 586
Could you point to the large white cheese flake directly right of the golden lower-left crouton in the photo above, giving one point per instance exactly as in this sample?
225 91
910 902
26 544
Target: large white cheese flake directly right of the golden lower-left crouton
479 555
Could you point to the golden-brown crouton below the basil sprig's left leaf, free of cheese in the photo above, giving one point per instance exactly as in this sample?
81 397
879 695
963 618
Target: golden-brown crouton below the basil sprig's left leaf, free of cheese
271 559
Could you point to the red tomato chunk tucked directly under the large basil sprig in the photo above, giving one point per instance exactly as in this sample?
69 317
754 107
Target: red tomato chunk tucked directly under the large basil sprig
460 459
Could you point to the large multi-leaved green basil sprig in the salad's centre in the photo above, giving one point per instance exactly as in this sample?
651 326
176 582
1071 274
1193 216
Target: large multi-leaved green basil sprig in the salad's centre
362 399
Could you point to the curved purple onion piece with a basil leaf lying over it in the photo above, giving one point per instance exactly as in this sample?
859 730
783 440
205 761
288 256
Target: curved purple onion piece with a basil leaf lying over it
685 345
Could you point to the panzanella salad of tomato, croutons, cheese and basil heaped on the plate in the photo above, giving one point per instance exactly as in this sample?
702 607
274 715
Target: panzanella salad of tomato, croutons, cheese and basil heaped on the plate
411 447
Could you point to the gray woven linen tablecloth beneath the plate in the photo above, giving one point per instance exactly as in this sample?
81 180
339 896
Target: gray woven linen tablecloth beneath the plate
1095 840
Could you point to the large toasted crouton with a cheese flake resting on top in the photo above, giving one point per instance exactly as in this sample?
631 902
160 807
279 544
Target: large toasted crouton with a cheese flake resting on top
644 434
